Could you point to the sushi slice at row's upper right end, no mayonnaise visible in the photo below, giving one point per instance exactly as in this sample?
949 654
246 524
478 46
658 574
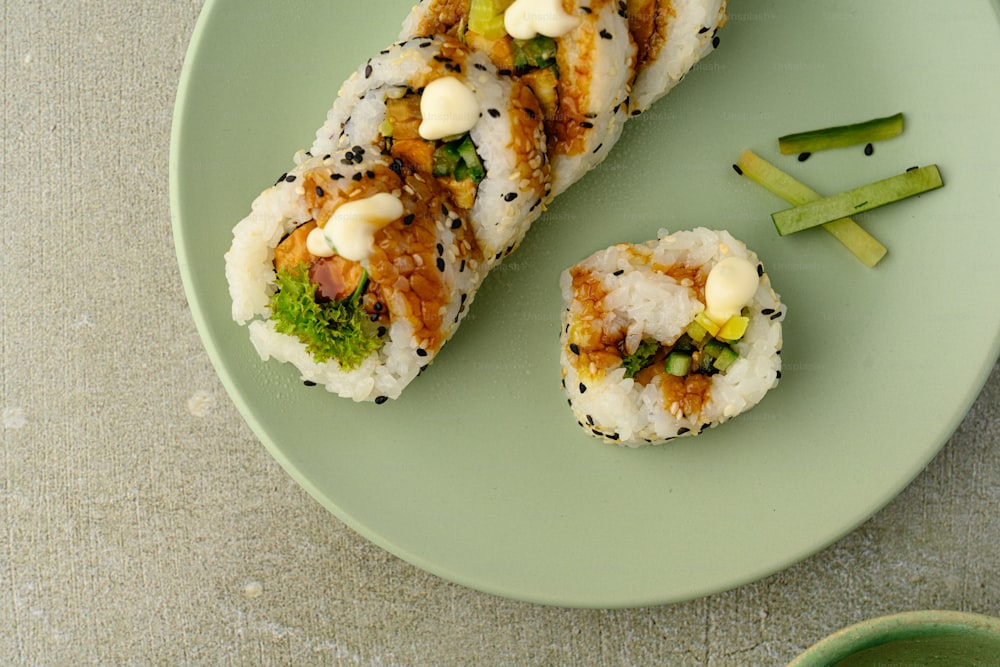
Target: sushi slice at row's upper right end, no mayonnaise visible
672 36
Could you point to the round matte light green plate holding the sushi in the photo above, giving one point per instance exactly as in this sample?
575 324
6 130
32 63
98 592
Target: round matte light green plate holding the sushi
479 473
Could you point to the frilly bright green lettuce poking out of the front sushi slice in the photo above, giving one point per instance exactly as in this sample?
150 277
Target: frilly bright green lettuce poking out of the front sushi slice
328 329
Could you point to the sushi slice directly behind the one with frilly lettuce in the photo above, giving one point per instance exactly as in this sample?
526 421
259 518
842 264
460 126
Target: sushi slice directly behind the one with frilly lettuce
440 109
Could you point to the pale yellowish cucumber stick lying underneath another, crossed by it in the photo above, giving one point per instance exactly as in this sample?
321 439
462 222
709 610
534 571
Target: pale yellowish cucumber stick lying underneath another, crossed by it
863 245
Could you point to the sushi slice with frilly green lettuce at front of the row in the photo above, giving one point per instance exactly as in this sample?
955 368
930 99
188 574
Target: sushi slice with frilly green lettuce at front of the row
355 271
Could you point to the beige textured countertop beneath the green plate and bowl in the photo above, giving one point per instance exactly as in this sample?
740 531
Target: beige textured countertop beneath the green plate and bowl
143 522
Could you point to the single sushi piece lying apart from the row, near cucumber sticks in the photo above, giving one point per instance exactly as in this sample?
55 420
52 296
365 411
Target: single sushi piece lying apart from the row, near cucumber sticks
667 338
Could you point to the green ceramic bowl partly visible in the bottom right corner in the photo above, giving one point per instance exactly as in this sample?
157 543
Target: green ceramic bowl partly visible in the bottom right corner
910 639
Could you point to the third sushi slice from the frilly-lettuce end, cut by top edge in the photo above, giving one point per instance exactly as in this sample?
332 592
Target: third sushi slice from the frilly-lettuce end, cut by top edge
577 57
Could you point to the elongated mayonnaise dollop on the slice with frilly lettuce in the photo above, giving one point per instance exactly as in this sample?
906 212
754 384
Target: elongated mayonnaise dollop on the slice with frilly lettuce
350 231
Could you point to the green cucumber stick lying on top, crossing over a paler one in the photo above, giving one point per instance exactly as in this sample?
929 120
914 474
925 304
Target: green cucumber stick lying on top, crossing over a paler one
858 200
